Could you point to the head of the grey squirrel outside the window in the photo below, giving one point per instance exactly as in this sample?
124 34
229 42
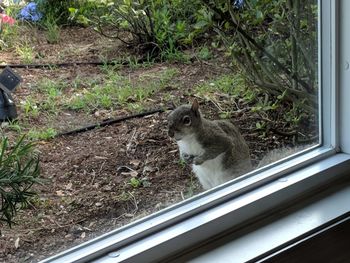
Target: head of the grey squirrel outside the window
184 120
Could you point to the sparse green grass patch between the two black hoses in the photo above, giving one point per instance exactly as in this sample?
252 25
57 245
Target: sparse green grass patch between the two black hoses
109 91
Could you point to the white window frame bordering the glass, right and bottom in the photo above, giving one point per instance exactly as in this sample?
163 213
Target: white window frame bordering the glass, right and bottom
234 204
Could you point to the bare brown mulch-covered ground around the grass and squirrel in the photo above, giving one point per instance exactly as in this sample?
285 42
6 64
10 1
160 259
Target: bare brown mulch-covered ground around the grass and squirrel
88 187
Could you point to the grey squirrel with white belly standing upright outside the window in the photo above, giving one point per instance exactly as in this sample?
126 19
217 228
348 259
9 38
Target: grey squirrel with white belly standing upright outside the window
216 149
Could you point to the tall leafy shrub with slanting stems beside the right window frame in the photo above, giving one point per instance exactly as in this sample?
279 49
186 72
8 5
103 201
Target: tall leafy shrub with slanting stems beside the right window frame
274 43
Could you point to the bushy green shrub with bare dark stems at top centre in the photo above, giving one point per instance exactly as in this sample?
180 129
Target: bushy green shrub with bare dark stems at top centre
154 26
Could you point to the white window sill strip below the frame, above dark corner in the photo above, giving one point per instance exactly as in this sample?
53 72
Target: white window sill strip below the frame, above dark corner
258 241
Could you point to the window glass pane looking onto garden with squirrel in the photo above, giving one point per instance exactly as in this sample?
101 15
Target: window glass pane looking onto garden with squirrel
164 102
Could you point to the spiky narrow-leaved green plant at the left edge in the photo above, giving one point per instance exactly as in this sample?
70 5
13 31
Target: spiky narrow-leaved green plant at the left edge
19 171
